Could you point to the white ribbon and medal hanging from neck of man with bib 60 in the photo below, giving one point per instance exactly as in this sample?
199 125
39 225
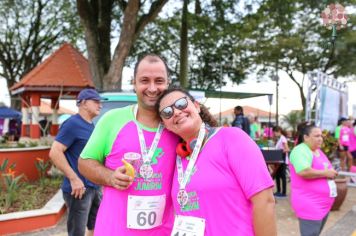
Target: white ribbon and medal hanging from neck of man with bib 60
146 170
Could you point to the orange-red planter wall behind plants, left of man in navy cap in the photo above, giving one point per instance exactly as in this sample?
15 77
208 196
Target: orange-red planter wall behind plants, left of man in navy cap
25 159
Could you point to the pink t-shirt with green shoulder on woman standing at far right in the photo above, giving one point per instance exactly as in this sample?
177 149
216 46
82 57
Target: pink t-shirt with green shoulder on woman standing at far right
310 197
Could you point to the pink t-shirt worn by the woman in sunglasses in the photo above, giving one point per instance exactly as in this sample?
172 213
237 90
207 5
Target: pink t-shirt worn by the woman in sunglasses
230 169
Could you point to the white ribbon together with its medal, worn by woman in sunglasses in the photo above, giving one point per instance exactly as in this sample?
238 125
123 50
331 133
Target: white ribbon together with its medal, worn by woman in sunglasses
183 176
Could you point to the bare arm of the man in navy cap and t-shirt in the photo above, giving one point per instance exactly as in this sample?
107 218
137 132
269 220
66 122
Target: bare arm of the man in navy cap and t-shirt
58 158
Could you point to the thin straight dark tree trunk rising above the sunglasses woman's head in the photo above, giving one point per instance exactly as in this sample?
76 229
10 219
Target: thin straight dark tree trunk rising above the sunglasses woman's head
183 72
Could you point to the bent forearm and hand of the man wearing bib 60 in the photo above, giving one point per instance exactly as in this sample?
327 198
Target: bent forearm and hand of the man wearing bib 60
99 174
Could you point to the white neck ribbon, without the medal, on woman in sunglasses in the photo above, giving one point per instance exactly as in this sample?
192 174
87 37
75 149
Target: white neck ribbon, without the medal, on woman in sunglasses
183 176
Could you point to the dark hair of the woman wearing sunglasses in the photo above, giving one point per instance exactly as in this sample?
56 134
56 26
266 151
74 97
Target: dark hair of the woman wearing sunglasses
204 112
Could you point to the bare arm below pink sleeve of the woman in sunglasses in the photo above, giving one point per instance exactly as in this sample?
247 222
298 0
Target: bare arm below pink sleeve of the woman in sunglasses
264 218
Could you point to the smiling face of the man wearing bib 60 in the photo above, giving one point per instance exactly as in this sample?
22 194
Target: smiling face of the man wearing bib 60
150 81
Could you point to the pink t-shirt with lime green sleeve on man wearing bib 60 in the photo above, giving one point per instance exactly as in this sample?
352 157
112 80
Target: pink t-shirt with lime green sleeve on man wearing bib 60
115 135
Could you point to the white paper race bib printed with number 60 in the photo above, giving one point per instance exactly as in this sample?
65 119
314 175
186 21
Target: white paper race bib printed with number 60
145 212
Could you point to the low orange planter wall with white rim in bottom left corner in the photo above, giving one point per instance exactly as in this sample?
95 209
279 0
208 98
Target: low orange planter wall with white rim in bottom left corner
27 221
